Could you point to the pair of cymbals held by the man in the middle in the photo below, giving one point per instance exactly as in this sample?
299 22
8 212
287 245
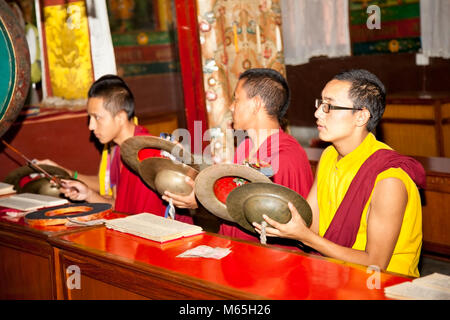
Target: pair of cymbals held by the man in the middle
160 173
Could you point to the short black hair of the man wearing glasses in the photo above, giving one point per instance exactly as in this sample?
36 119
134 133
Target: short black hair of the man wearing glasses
366 91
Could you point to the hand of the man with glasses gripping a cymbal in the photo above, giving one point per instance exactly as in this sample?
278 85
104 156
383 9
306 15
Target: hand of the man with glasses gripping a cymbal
294 229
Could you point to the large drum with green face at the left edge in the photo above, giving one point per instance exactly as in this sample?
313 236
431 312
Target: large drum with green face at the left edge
14 67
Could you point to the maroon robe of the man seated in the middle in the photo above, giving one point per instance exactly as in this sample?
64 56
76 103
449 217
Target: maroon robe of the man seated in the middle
291 169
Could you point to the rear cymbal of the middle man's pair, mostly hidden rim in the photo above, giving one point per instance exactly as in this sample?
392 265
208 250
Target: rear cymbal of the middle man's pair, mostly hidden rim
129 150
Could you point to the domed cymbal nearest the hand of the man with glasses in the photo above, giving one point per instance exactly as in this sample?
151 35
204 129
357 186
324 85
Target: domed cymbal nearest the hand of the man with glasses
247 203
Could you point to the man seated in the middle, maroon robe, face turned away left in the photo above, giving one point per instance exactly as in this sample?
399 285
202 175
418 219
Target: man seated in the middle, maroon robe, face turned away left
261 100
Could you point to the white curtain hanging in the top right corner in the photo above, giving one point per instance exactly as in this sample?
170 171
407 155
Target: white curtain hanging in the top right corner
435 28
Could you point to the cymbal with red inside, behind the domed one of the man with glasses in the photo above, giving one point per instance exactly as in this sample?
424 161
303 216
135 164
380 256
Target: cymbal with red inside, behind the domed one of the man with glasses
214 183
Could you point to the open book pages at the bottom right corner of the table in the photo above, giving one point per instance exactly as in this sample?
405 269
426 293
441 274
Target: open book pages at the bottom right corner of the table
435 286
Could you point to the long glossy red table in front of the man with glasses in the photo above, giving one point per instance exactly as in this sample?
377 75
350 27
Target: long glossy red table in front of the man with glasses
118 265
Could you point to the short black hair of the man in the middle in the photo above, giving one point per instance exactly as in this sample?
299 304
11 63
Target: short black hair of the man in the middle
271 86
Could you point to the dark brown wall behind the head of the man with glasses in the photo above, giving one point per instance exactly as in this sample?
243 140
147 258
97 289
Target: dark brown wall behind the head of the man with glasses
398 72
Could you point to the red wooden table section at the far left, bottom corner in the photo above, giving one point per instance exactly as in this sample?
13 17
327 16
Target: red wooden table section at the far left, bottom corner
27 264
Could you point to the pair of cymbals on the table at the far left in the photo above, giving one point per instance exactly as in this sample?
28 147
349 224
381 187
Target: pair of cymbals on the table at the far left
40 185
